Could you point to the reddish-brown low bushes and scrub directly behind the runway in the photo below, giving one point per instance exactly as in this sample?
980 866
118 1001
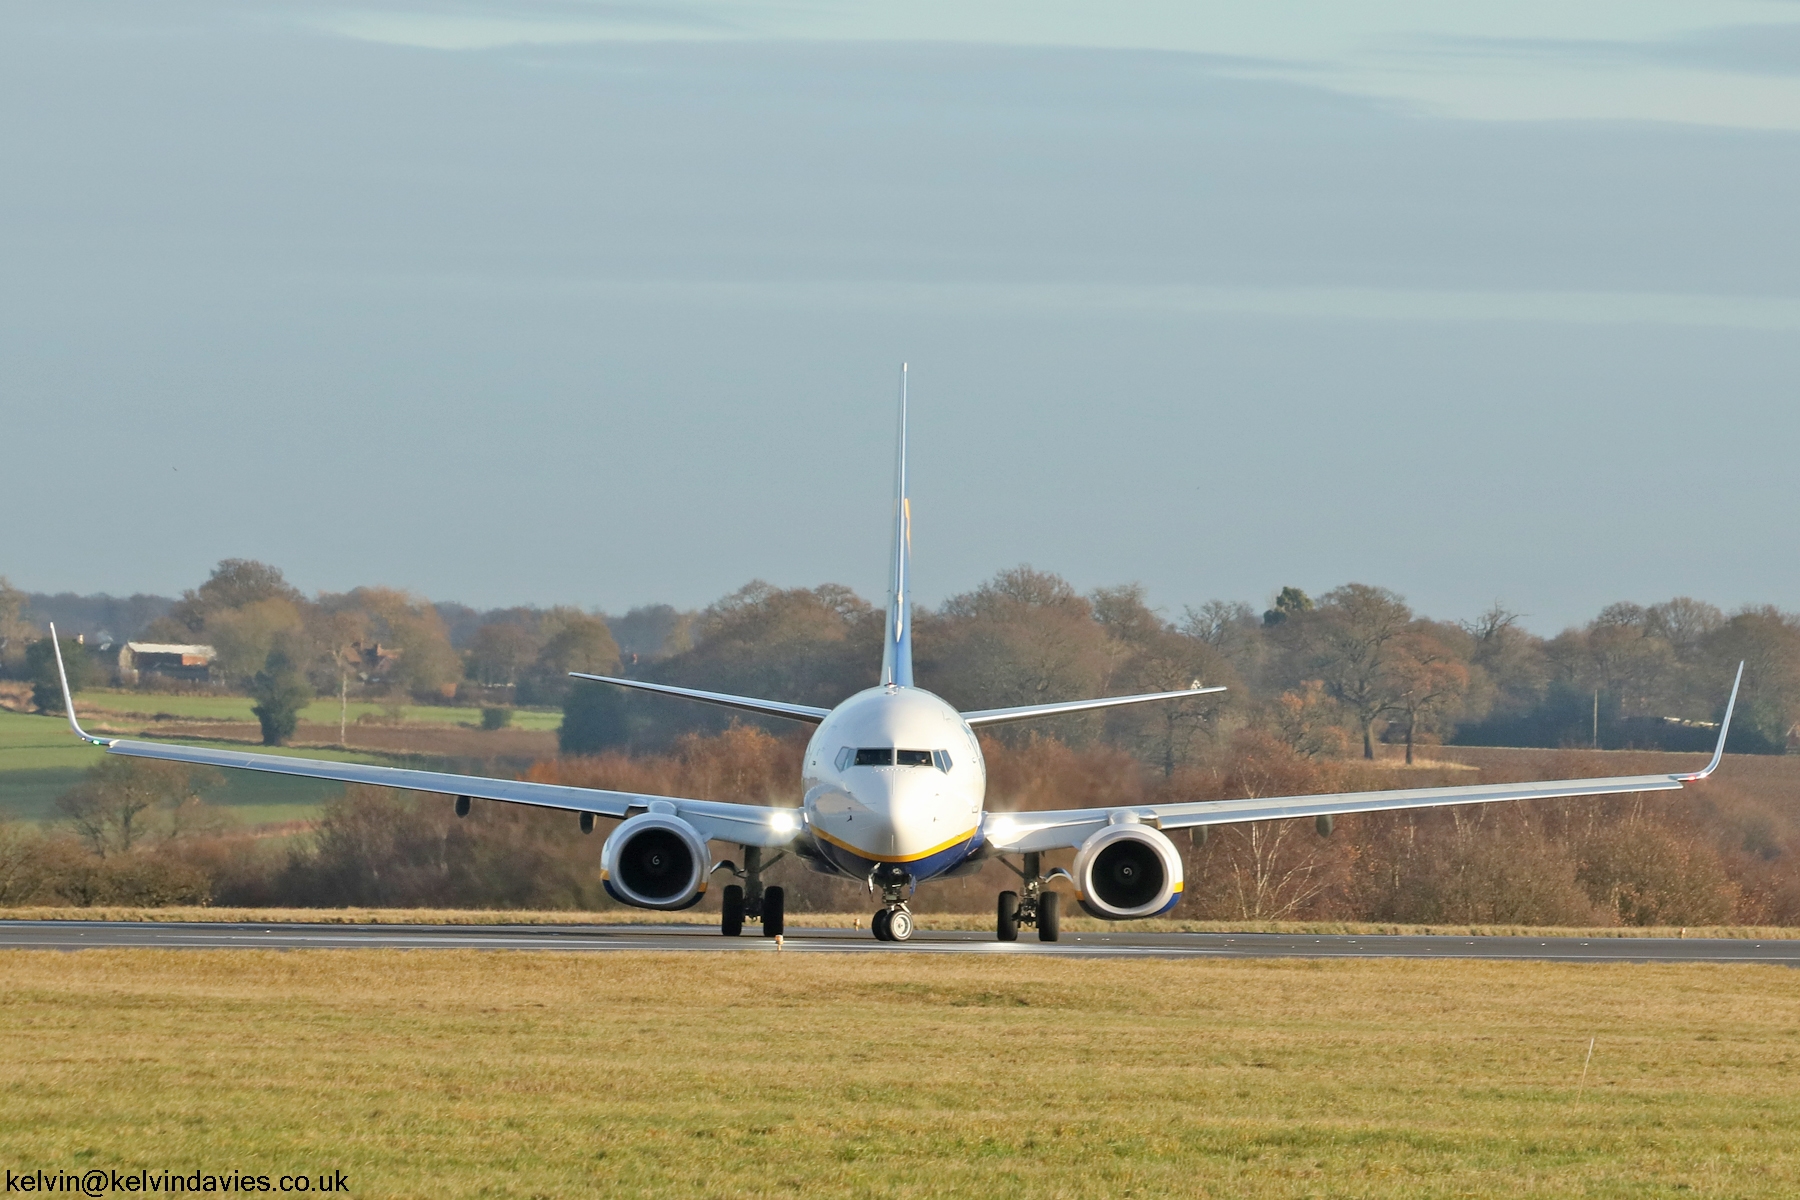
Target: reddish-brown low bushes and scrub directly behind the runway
136 834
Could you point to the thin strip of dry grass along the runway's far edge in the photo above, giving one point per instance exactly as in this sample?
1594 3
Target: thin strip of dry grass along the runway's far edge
847 920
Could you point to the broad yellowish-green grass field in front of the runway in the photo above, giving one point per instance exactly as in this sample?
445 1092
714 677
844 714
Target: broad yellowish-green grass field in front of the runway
523 1075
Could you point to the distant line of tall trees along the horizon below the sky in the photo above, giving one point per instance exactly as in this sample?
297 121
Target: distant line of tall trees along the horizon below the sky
1326 677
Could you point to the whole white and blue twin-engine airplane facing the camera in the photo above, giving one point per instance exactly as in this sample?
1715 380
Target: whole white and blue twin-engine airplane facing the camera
894 794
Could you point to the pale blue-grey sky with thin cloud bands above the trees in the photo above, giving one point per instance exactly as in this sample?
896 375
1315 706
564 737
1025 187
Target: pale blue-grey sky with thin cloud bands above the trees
557 301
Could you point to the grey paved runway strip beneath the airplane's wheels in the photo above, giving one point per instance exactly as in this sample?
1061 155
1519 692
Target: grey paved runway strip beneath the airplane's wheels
663 938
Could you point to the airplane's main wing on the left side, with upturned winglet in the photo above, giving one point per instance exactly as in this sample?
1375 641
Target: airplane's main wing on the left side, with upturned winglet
748 825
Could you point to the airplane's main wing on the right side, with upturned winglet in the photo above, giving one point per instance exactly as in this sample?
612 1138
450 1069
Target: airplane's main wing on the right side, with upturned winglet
1070 828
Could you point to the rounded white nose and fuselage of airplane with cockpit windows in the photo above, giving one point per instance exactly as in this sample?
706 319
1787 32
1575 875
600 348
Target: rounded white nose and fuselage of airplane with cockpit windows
894 776
